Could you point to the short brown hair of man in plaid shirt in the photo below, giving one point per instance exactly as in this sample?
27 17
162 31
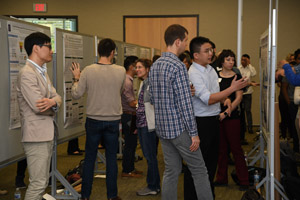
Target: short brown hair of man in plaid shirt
173 33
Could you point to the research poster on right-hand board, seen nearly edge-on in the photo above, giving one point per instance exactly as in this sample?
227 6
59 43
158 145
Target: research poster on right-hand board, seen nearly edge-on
266 78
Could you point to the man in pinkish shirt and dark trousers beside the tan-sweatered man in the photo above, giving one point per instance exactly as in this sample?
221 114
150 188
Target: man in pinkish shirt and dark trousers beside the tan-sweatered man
128 120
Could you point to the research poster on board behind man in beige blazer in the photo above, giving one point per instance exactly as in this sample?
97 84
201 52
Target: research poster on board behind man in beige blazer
17 59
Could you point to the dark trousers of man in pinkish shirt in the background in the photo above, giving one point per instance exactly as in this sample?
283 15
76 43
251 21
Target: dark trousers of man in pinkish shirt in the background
130 144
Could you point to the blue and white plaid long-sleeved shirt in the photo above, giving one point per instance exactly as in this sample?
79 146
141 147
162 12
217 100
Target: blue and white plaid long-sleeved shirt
171 97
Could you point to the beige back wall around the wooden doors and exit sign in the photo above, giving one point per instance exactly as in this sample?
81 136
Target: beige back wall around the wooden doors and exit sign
217 20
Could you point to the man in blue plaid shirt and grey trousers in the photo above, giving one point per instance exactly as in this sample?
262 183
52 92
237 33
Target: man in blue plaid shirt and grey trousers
174 117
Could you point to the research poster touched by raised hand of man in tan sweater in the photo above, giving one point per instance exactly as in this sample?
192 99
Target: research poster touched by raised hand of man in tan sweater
73 52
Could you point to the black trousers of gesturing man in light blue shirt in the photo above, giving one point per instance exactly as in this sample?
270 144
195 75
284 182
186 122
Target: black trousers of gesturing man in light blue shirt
209 134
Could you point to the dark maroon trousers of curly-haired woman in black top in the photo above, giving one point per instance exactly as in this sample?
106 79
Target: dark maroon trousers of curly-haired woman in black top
230 137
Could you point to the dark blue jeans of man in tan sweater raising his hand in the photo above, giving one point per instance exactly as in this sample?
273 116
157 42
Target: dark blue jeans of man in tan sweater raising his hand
108 131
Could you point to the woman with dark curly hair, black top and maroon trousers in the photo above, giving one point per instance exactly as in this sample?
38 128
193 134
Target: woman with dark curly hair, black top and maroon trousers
230 126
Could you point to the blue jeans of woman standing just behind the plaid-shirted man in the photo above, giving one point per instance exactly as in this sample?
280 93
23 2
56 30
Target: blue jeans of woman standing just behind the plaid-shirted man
148 144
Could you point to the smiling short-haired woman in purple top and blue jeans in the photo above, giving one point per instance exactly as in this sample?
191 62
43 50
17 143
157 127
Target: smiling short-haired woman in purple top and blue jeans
146 129
